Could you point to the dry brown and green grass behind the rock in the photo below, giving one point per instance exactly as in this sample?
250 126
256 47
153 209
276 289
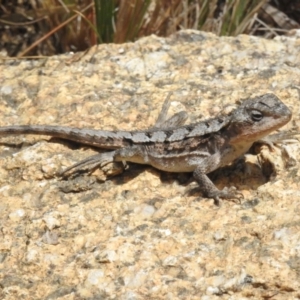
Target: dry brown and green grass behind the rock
56 26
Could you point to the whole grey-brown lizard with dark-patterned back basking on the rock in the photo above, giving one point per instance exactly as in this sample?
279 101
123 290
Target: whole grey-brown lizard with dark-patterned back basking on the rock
170 146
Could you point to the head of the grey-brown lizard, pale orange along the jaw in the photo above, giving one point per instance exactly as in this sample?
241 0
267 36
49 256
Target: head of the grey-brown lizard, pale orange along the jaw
256 118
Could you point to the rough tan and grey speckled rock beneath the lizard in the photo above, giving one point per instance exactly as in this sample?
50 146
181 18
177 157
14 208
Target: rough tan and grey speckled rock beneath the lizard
143 234
